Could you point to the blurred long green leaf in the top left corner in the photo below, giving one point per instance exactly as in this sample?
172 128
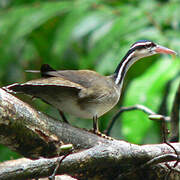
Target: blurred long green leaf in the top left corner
18 22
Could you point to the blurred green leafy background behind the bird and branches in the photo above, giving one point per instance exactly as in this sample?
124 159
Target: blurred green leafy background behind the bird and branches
95 34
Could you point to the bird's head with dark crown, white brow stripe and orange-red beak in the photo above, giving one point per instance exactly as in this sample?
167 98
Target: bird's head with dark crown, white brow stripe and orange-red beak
144 48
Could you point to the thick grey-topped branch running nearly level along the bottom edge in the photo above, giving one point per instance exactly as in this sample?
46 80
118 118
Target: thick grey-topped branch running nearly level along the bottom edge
103 161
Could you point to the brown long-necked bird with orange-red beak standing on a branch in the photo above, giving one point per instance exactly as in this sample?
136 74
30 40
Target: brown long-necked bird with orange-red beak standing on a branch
85 93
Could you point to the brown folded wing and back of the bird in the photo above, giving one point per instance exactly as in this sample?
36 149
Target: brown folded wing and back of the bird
84 81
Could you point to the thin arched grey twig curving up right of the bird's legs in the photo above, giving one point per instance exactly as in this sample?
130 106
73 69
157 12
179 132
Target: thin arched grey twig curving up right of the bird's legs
130 108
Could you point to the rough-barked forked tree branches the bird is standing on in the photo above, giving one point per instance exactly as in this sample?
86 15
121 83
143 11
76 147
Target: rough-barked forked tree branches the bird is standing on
35 135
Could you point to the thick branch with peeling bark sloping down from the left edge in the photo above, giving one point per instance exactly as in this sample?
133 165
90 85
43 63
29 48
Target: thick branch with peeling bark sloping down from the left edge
33 134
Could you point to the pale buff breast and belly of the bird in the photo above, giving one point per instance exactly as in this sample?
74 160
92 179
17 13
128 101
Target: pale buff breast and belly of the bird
86 108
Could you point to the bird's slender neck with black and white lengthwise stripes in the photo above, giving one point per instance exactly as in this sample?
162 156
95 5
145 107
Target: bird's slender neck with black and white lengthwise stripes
123 67
